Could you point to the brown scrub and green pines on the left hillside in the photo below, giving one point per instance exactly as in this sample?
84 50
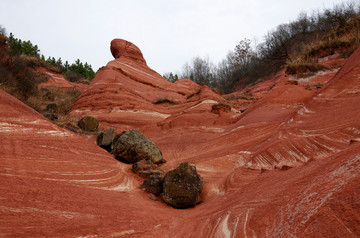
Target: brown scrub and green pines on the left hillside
19 76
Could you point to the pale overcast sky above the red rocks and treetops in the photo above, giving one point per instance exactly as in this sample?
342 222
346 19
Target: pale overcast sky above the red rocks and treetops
168 32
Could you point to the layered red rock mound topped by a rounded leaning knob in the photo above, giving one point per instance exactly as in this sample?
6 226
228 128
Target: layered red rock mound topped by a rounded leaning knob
124 92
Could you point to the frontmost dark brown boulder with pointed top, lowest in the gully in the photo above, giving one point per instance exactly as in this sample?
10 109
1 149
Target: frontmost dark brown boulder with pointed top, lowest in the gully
182 186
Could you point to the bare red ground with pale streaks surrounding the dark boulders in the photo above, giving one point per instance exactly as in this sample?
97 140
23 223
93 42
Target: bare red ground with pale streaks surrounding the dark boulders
289 166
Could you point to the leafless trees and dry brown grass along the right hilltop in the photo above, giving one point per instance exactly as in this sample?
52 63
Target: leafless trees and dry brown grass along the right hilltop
295 45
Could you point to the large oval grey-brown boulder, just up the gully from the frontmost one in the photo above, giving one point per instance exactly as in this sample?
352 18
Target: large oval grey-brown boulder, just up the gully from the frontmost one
132 146
